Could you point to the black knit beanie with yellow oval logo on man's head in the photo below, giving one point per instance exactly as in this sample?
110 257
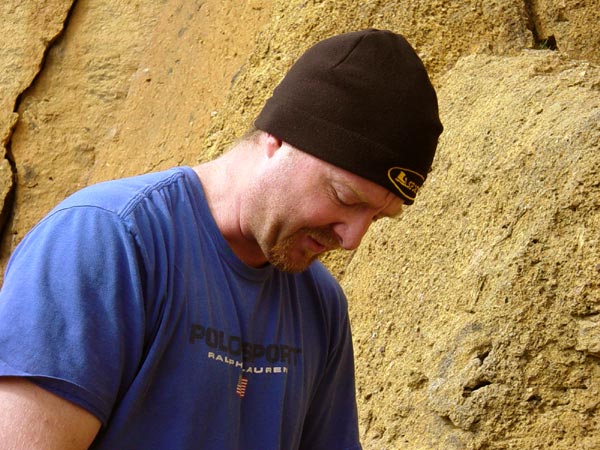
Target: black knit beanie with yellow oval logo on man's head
363 102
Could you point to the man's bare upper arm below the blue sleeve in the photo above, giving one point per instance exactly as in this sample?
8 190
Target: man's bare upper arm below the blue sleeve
34 419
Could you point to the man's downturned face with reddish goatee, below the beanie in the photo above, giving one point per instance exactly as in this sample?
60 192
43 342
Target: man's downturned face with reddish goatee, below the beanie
310 207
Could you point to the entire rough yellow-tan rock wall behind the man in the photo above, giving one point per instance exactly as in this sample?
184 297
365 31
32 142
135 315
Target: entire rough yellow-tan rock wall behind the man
476 316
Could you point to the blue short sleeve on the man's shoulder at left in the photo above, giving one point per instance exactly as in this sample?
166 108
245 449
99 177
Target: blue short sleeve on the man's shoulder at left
71 309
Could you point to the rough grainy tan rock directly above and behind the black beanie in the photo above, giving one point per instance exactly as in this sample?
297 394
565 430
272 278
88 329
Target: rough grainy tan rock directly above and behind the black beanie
440 31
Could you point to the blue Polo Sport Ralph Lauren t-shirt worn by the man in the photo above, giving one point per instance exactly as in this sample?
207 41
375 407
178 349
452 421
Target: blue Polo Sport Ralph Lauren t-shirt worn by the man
127 300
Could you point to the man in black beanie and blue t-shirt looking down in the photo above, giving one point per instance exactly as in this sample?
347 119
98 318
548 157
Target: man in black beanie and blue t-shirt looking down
184 309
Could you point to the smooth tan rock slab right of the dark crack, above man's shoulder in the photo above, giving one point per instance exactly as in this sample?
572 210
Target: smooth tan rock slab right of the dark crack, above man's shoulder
129 88
